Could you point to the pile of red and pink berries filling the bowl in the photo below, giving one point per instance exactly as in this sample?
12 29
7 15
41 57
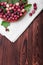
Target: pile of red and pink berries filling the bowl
11 12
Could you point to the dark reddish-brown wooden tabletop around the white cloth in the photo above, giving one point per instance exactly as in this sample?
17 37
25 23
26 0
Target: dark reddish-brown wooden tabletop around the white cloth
28 49
